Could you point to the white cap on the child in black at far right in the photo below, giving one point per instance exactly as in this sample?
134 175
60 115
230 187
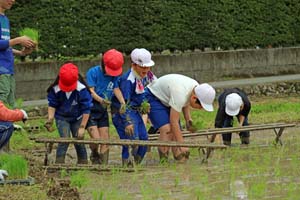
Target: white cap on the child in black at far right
233 104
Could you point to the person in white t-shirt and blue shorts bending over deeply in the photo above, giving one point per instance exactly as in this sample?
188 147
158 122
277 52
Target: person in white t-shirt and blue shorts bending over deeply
168 97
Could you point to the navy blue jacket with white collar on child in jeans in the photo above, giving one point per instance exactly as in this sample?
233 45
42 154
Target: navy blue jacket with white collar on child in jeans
70 108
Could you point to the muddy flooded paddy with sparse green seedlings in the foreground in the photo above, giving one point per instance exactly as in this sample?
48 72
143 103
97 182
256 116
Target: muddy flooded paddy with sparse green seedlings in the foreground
261 171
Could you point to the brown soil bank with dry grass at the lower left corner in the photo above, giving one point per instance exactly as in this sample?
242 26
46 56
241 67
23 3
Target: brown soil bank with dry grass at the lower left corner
49 184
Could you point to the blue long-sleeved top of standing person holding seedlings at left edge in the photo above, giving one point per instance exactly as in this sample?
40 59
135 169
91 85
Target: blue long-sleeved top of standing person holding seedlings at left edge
6 53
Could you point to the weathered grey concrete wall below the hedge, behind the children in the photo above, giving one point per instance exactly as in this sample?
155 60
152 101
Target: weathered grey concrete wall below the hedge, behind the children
34 78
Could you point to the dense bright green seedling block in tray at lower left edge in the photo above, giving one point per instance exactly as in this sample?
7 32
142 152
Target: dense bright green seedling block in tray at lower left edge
15 165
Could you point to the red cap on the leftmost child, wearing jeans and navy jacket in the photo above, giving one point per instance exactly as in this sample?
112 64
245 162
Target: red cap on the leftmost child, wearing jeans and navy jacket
68 77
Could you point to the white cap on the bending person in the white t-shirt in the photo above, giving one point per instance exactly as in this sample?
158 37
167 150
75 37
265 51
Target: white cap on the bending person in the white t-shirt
206 95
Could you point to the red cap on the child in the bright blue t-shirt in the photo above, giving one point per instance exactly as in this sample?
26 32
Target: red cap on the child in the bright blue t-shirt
113 61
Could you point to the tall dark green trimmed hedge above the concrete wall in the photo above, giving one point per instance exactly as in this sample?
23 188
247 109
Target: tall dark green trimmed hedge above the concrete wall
88 27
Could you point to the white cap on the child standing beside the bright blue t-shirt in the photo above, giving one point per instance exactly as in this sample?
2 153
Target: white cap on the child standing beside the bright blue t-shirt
142 57
